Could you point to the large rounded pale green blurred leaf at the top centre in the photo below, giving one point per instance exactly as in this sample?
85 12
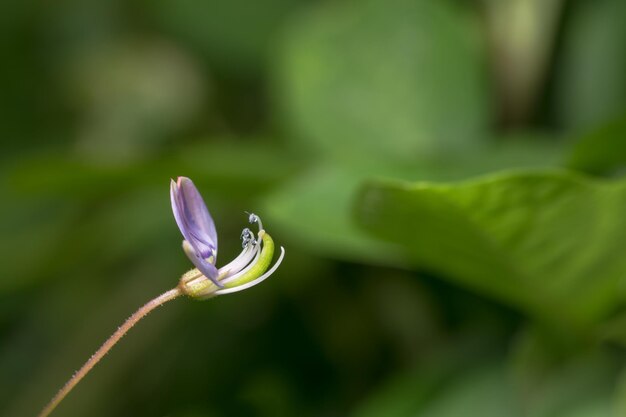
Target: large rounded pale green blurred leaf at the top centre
395 80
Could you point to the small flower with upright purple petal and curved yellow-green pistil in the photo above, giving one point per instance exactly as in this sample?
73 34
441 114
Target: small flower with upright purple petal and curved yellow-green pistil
200 245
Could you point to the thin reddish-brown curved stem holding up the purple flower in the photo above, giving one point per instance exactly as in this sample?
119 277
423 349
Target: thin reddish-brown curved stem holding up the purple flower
106 346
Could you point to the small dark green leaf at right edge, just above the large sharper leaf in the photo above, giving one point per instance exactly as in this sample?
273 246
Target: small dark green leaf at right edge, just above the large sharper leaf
602 151
